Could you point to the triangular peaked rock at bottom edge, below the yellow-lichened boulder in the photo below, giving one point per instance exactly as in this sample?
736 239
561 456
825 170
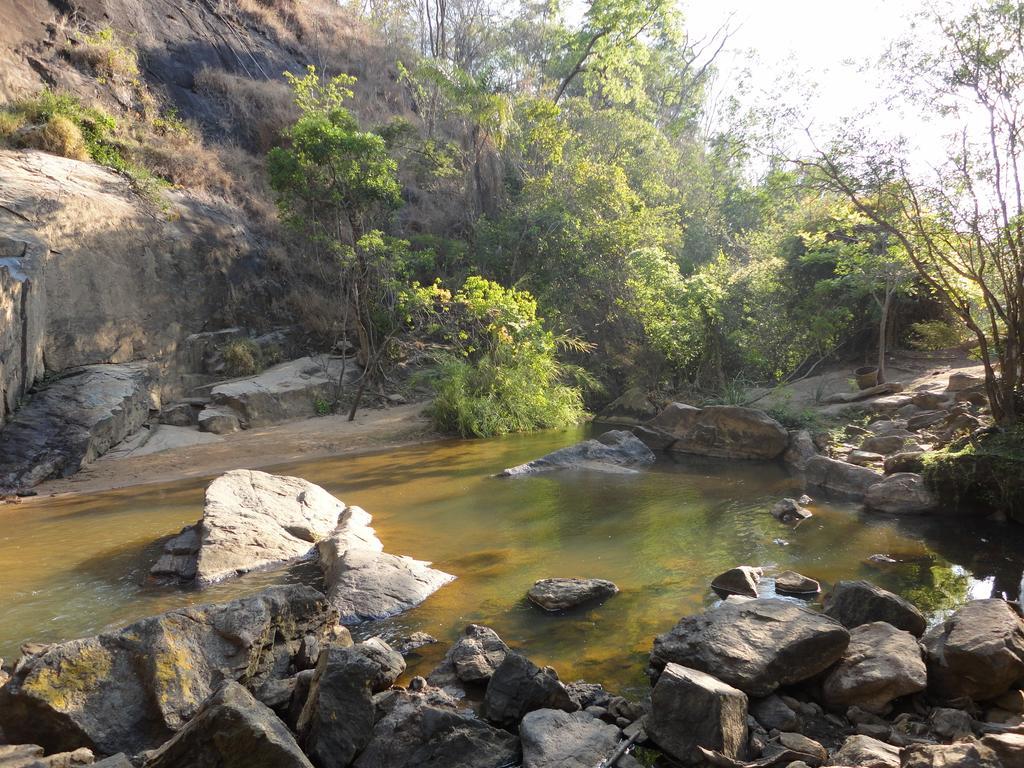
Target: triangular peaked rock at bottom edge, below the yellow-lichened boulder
231 731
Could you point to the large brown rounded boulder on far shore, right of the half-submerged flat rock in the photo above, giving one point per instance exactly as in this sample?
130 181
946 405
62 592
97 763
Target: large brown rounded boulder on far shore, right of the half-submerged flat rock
723 432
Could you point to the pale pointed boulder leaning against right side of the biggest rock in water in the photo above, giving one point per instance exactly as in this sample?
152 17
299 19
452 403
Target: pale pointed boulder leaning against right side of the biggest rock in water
366 584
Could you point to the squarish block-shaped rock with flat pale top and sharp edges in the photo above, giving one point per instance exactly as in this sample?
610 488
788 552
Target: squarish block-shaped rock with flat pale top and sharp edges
691 709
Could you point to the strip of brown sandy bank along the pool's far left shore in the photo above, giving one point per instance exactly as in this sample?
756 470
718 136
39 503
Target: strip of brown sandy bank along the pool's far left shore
309 439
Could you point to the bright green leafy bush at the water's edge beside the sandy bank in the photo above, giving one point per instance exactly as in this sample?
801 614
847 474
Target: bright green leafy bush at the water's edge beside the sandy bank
499 372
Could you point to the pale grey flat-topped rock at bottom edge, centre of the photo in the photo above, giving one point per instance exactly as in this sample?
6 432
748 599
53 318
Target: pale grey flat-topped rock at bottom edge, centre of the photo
552 739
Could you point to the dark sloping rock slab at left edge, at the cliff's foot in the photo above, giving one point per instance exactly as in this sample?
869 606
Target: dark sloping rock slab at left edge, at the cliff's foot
73 422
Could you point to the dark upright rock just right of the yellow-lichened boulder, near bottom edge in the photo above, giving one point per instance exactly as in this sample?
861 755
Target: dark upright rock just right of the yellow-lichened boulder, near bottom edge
337 721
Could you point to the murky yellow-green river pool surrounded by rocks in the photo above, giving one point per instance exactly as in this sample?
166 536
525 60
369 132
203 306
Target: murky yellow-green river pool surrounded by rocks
73 567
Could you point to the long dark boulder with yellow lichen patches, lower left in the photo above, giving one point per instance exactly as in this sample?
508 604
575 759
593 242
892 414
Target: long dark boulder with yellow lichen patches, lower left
132 690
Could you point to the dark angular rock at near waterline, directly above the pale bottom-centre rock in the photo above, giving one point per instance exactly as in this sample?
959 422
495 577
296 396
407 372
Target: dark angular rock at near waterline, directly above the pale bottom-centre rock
520 687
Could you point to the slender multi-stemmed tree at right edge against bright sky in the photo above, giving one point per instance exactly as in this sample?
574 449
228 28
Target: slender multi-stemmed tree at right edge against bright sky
963 229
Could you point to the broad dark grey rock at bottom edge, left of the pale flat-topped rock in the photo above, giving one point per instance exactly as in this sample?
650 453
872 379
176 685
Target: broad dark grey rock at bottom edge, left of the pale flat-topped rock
421 731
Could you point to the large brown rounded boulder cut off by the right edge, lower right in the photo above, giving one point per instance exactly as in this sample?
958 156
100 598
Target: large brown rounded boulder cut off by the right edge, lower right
978 653
